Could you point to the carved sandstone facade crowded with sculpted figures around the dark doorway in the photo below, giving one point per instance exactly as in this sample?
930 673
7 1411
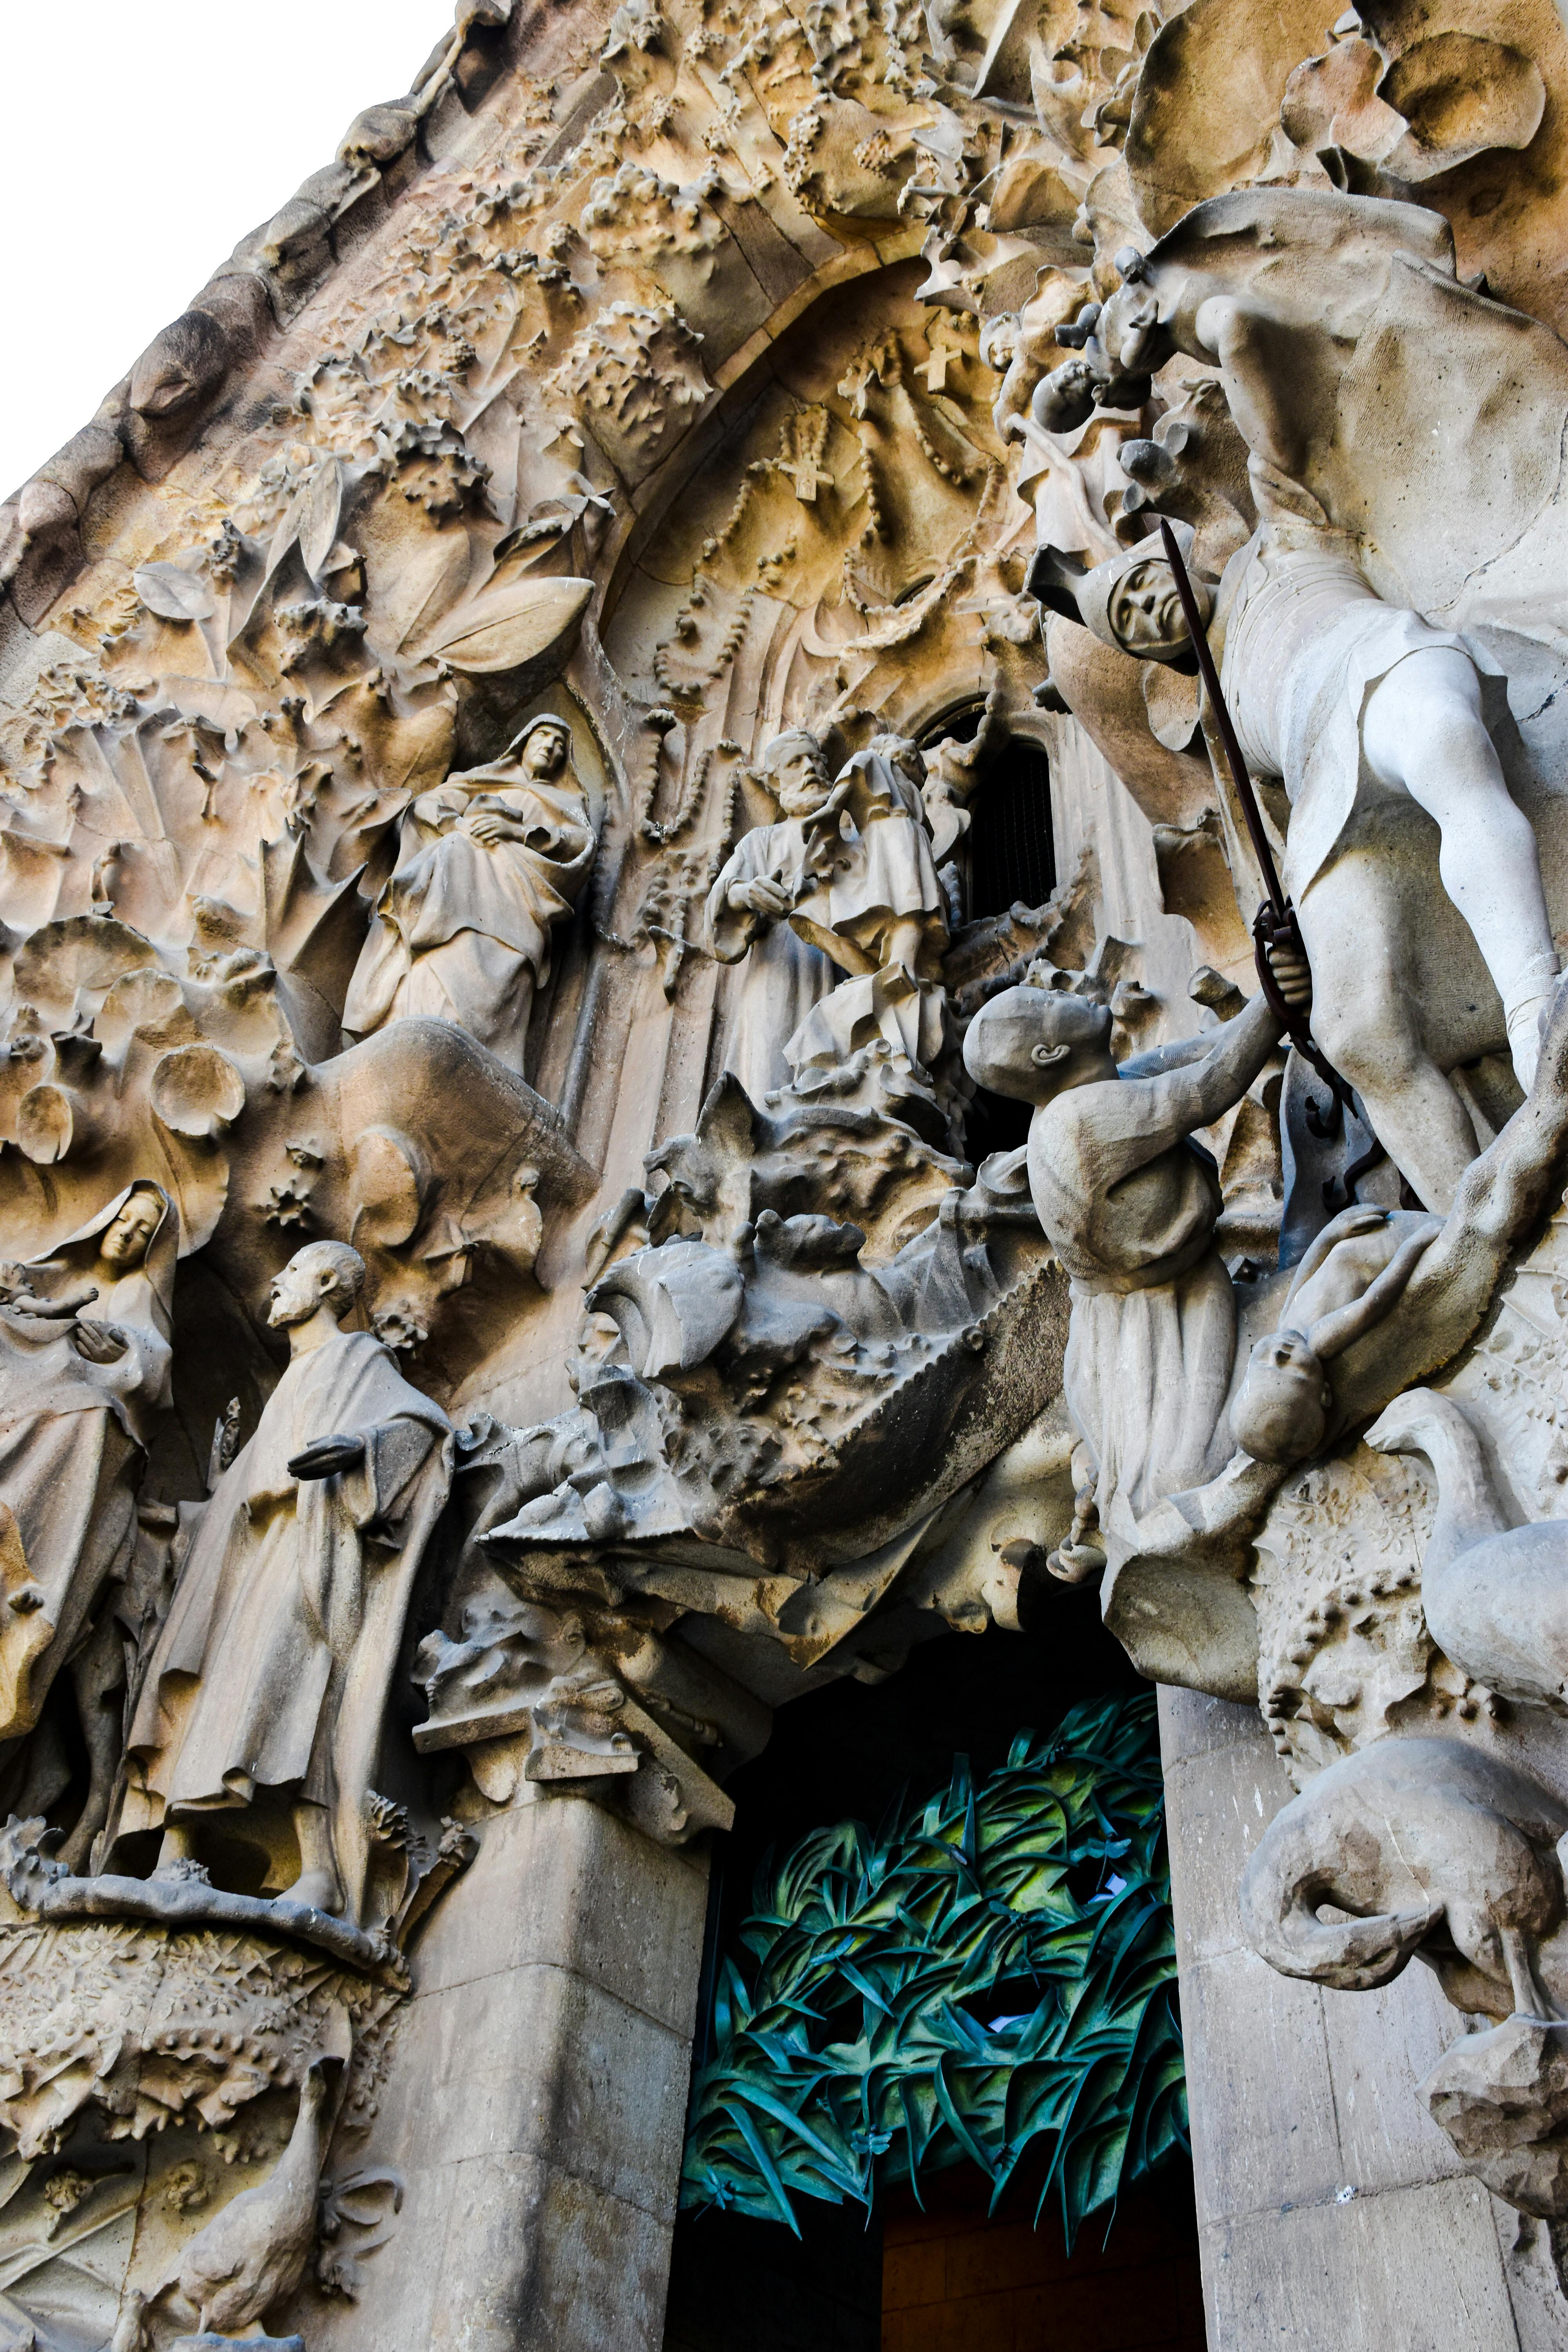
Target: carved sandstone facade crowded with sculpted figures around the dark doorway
575 737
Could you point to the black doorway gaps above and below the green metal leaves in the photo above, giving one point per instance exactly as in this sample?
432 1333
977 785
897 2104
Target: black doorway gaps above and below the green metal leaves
942 2271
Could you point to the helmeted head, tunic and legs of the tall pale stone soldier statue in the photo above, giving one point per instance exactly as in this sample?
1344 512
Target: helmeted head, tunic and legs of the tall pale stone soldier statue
1358 704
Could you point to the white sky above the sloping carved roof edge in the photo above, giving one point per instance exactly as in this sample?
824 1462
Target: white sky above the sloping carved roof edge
142 142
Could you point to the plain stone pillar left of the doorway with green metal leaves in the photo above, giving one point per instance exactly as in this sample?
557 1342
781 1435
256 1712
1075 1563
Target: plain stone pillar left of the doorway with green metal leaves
537 2097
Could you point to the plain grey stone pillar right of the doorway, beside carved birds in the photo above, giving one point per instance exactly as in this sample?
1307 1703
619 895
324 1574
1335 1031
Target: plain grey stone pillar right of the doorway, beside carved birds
1334 2214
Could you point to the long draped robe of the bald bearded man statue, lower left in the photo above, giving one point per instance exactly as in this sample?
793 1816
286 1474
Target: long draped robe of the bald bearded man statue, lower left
279 1655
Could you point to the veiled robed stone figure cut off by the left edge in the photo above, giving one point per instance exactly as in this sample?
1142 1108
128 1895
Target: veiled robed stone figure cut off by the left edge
83 1372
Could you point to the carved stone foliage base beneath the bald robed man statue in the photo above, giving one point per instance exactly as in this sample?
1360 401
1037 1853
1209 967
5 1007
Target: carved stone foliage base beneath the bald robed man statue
185 2116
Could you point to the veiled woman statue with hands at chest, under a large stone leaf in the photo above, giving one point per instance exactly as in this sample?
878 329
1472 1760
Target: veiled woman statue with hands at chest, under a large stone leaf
490 862
